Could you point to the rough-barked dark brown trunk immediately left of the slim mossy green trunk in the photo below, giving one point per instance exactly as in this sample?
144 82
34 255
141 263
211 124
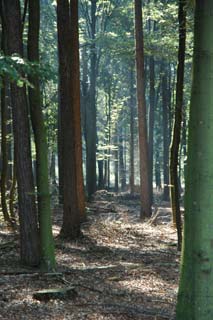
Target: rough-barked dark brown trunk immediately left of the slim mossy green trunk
26 193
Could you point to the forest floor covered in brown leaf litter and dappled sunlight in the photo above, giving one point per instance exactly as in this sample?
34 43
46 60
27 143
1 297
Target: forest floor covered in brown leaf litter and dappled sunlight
119 269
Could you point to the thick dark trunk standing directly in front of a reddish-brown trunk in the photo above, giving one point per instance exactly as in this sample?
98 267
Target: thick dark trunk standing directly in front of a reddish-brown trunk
68 116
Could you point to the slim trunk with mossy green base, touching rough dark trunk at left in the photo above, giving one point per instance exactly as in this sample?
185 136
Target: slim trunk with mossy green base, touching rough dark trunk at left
42 174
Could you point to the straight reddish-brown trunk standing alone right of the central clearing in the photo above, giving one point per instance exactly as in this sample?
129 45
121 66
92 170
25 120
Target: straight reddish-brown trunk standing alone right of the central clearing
143 145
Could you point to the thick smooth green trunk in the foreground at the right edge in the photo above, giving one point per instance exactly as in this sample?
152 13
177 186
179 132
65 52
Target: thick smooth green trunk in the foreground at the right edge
196 289
